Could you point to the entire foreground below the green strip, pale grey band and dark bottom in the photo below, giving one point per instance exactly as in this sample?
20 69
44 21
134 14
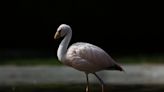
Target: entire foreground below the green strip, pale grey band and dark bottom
138 78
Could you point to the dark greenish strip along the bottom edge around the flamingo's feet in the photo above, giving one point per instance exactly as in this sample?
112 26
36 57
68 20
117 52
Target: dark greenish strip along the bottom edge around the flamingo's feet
81 88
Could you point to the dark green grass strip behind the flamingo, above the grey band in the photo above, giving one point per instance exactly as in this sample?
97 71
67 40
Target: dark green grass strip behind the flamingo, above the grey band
138 59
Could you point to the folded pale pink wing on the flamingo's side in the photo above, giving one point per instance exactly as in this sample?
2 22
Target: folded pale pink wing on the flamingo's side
88 57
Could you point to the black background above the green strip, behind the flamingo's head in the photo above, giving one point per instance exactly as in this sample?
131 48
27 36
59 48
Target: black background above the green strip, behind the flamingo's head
28 26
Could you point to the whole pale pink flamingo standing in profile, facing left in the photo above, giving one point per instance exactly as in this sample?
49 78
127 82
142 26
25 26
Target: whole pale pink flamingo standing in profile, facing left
83 56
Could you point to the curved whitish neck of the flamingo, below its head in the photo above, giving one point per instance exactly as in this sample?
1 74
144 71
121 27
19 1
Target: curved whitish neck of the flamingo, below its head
62 50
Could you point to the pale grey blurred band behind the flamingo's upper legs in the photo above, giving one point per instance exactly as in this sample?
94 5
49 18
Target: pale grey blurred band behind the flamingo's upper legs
135 74
